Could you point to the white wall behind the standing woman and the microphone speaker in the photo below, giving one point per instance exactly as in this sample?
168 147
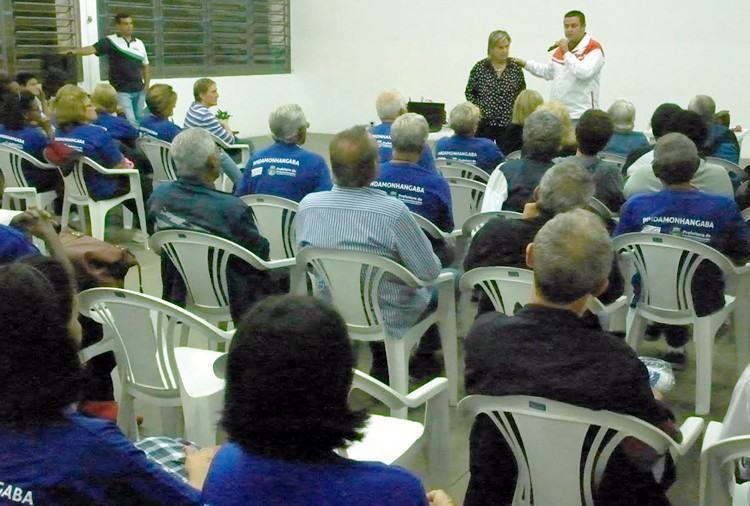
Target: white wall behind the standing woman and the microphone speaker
345 51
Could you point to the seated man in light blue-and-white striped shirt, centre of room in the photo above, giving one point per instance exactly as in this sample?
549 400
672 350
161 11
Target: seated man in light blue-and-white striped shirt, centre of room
356 217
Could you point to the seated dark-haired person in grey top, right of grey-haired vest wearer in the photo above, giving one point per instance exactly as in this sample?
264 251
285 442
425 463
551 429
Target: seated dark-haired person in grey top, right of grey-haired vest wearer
593 130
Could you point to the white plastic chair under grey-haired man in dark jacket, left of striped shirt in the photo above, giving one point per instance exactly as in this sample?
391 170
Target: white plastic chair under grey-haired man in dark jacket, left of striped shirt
202 259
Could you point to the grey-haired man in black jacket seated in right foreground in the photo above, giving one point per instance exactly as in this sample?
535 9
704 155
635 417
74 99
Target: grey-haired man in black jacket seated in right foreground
548 350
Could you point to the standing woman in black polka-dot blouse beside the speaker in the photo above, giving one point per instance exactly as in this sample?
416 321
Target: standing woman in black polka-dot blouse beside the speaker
494 83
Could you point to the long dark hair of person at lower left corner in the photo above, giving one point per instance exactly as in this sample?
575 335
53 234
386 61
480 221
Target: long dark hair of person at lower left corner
41 371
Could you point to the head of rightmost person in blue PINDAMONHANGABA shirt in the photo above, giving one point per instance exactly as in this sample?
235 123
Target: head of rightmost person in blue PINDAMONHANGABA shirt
675 159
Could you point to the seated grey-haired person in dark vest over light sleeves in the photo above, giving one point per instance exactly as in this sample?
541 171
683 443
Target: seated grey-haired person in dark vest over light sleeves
541 141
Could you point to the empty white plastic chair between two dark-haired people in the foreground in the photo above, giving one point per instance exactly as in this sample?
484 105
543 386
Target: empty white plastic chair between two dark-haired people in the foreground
143 333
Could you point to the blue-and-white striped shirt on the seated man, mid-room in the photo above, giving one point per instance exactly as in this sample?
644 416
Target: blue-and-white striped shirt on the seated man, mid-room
368 220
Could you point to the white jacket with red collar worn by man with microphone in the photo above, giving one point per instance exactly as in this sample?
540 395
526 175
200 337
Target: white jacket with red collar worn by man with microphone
575 75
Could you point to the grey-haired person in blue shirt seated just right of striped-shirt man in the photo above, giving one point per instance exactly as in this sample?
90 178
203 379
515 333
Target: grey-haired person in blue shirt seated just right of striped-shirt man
424 191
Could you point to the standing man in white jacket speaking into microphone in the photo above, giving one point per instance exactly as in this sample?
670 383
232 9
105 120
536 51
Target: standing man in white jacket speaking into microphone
574 69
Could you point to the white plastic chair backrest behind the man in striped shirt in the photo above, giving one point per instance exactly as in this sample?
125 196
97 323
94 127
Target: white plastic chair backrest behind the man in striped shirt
351 280
